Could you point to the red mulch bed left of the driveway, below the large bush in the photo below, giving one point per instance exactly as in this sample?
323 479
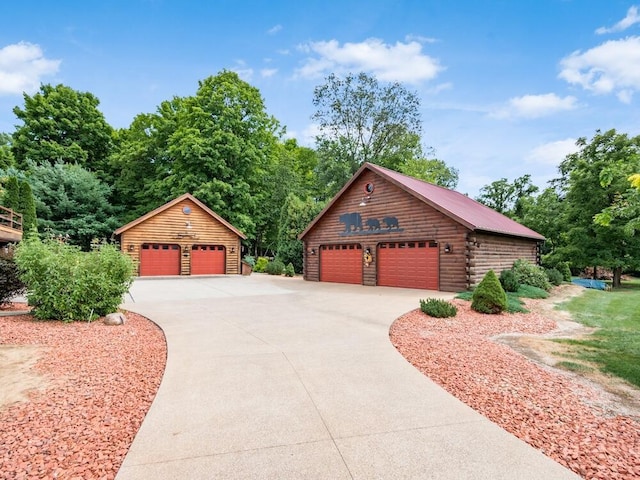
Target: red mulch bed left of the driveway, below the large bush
102 380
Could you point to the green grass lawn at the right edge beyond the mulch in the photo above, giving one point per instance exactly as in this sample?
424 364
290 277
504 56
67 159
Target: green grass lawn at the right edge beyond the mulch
615 347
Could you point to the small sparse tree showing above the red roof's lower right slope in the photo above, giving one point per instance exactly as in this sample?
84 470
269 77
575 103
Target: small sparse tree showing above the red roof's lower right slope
507 198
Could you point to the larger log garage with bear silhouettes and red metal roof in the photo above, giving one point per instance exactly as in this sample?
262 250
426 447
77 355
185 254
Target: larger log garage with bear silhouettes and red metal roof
388 229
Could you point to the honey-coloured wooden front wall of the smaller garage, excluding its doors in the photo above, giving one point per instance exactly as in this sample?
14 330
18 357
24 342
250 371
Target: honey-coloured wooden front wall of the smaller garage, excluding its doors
169 227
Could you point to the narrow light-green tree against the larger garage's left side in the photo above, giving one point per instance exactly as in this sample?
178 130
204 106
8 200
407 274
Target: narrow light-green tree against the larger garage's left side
294 218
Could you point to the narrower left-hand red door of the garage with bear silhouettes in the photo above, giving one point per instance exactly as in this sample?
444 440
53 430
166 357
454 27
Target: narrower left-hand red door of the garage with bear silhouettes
341 263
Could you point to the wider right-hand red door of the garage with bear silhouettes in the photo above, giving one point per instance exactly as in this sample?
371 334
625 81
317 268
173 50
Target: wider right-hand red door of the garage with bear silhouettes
408 265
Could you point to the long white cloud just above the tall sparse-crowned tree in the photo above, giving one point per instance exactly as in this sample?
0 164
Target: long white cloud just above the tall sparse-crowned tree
402 62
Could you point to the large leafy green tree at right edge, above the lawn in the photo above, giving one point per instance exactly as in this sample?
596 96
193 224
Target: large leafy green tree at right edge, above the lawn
593 180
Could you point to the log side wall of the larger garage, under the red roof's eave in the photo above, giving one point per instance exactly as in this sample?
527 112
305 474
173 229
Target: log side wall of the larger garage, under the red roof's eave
497 253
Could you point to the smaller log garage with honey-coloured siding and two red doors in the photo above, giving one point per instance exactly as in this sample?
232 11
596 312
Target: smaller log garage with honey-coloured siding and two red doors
182 237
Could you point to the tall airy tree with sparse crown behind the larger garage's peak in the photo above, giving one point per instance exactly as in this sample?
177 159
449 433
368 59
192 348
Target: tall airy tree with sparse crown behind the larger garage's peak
361 121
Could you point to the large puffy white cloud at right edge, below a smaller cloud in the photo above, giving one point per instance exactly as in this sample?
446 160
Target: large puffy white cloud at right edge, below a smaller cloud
613 67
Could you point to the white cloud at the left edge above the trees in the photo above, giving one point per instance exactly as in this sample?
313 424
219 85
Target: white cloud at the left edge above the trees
22 66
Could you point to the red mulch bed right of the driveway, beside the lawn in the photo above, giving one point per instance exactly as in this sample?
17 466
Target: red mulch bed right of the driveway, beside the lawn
543 407
